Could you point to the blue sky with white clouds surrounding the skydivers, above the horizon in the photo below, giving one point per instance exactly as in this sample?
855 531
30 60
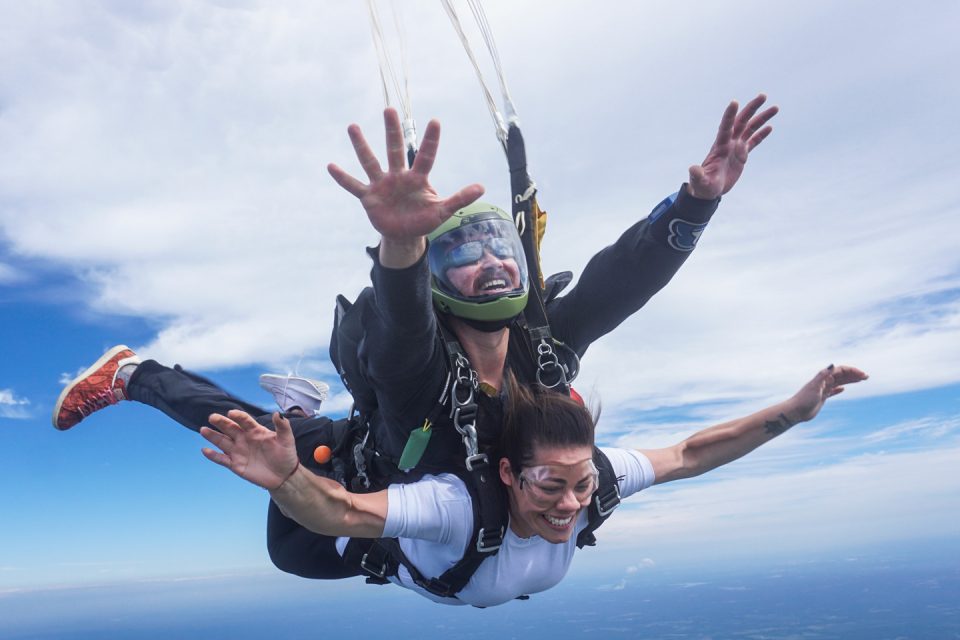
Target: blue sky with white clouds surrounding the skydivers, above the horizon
163 185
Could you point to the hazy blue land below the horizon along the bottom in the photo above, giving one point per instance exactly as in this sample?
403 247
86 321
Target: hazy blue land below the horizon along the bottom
869 599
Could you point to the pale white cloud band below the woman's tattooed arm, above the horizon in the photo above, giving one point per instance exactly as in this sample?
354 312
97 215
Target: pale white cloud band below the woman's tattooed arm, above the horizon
867 499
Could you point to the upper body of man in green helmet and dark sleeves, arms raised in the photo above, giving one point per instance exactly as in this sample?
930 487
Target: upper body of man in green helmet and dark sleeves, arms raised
463 259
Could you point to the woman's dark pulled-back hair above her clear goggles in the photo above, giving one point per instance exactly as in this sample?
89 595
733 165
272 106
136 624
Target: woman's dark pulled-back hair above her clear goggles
537 417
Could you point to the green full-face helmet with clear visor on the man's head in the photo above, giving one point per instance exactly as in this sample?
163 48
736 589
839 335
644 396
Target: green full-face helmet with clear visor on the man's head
478 265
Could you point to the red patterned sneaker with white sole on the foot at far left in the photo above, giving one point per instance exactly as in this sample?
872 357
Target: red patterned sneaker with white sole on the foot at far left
94 389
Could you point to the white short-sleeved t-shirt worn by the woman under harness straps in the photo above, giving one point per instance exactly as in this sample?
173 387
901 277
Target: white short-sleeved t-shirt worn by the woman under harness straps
434 520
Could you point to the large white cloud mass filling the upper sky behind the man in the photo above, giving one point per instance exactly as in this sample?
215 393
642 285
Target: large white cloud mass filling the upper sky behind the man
178 171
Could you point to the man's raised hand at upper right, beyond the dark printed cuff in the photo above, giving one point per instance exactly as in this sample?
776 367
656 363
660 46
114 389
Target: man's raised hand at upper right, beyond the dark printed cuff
740 132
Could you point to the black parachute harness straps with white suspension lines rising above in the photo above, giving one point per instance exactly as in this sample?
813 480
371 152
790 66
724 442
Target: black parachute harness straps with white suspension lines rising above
382 557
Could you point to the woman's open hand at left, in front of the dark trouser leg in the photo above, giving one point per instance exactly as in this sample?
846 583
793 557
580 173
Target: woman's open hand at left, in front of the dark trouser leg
250 450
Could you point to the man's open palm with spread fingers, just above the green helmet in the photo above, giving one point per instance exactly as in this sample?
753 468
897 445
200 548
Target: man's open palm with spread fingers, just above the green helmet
400 202
